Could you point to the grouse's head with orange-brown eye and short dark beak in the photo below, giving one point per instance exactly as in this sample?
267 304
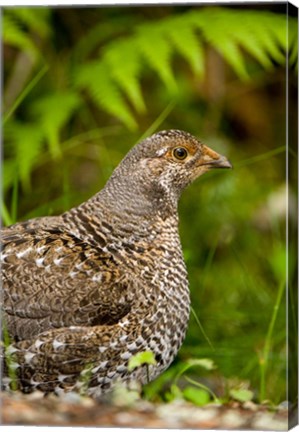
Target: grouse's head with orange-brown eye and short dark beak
161 166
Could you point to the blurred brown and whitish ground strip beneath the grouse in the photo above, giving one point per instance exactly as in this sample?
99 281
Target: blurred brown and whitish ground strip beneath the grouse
74 410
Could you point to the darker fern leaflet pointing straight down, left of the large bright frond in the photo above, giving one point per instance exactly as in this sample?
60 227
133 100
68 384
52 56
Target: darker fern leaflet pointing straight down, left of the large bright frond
53 112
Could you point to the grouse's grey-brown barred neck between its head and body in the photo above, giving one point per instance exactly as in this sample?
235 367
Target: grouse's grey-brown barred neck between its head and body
125 209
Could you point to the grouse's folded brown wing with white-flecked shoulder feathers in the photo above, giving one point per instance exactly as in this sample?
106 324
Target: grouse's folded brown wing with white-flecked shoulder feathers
53 279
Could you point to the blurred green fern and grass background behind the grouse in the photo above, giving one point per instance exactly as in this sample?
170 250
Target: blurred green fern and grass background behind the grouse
82 85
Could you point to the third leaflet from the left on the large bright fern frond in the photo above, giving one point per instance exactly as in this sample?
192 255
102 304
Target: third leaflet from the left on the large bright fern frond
156 51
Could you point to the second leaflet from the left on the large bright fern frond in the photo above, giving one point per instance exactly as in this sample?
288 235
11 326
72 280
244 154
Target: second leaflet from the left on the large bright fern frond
124 62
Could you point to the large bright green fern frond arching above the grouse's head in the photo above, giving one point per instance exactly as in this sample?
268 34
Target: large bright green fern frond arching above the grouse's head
152 45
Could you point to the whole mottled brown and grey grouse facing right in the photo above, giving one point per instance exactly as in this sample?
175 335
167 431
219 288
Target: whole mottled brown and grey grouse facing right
105 280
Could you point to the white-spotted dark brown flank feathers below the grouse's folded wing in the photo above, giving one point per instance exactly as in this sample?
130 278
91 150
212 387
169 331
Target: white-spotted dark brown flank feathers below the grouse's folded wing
59 358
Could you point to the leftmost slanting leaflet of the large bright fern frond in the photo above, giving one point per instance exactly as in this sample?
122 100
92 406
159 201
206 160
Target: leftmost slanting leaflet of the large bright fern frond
96 78
